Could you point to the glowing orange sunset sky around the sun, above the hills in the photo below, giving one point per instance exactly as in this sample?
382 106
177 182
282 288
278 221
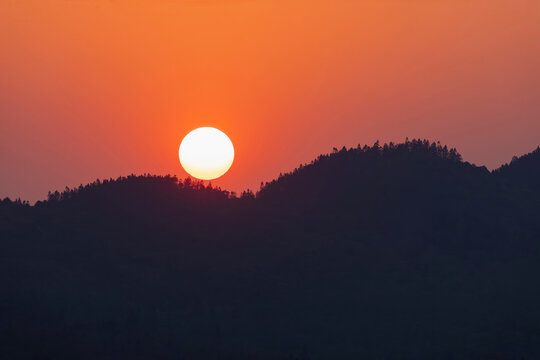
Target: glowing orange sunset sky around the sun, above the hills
101 88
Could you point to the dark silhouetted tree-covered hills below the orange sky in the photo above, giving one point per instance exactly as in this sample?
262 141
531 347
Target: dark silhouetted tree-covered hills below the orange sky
385 252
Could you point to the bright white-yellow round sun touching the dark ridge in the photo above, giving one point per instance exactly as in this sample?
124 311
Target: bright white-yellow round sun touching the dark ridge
206 153
